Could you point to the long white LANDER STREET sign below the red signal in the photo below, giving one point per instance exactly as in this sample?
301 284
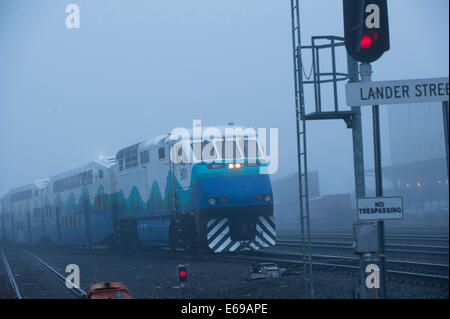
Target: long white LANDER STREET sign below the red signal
396 92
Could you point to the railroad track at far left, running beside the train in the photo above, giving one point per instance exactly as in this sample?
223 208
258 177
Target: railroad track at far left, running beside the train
30 277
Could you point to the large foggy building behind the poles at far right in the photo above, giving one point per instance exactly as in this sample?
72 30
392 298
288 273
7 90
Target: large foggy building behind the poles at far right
419 167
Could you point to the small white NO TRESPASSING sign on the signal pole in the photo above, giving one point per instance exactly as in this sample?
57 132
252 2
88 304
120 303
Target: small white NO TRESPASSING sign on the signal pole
380 208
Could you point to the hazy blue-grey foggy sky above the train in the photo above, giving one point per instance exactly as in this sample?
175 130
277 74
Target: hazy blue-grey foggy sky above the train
137 69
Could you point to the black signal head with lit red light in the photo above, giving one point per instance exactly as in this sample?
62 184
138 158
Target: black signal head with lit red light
366 29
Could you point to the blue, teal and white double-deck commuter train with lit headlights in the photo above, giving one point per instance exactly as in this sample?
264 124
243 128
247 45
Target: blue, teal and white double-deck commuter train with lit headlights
220 202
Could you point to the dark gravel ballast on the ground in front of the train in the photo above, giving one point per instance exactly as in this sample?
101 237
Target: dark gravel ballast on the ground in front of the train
154 275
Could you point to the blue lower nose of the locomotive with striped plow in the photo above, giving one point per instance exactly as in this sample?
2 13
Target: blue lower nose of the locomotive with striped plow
236 211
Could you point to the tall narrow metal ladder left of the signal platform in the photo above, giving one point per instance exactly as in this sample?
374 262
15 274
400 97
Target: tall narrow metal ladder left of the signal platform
305 232
